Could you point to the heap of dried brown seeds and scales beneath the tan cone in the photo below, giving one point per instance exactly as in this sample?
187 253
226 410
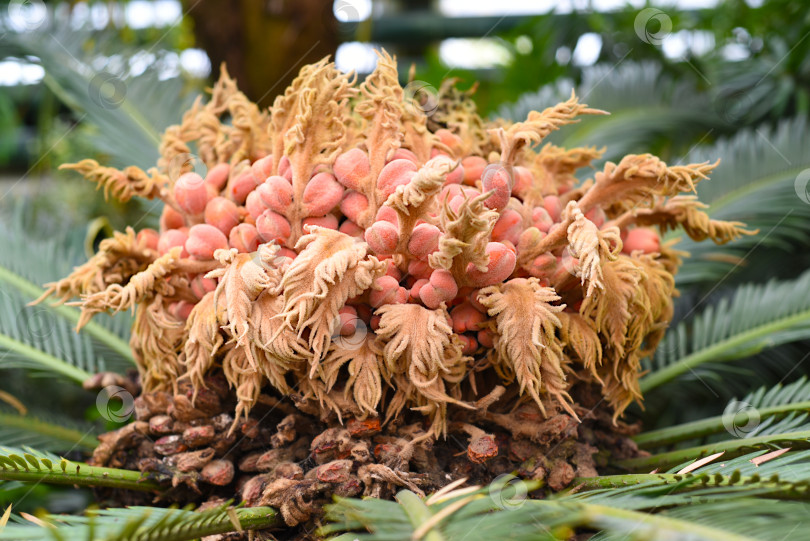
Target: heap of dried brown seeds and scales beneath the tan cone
294 461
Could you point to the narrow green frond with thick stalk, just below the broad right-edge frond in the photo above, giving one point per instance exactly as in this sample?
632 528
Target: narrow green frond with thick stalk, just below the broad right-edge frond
773 410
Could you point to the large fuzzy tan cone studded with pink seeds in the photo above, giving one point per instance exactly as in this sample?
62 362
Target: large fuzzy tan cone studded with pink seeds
348 247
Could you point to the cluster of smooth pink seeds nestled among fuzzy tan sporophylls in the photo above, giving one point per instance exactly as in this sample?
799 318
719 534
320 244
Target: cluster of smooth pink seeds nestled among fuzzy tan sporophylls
226 210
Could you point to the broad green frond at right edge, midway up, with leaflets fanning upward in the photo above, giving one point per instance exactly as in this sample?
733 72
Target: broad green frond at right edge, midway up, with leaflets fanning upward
755 317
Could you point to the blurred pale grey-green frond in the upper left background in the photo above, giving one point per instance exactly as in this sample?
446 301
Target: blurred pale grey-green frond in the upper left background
128 122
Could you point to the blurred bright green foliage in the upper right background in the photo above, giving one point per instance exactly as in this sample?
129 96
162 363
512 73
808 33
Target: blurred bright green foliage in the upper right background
757 64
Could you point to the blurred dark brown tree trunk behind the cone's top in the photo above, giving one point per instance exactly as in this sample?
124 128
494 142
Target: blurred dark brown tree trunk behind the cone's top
263 42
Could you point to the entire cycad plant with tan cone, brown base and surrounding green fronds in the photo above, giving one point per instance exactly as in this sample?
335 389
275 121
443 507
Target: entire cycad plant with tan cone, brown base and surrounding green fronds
358 294
